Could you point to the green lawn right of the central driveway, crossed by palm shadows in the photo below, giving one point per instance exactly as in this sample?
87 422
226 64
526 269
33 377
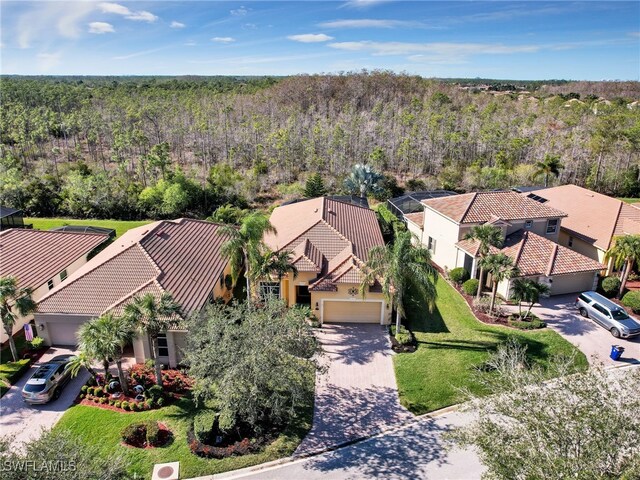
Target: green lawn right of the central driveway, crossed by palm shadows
451 343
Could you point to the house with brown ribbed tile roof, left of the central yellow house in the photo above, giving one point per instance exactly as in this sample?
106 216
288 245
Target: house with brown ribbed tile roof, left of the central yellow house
181 257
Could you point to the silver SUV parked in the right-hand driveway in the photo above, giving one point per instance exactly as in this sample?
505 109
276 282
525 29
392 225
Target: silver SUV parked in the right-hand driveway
608 314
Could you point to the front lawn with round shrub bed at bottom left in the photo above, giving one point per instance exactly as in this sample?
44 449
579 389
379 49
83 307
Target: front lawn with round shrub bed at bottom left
102 428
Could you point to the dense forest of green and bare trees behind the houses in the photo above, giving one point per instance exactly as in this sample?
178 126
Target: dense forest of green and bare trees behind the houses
125 147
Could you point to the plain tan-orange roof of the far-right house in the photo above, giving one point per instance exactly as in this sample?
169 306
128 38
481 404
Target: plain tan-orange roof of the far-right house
593 217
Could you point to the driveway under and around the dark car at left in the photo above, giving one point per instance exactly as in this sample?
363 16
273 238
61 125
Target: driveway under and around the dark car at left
22 422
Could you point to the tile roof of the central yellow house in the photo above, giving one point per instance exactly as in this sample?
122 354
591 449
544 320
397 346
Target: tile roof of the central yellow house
326 236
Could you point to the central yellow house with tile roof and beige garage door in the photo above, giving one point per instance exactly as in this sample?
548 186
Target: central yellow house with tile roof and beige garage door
330 242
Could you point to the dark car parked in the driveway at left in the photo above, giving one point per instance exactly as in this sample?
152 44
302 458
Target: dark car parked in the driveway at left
48 381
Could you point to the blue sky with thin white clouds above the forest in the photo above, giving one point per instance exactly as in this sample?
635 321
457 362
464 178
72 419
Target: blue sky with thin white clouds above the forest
516 40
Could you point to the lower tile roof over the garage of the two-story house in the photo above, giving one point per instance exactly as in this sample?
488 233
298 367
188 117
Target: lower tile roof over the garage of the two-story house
536 255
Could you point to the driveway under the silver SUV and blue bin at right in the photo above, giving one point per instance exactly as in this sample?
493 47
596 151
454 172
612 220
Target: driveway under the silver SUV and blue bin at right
594 341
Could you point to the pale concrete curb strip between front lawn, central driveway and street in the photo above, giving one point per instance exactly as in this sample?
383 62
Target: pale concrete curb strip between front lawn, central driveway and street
240 473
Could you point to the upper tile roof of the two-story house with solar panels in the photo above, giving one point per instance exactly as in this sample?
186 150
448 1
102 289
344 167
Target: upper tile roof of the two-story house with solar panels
481 207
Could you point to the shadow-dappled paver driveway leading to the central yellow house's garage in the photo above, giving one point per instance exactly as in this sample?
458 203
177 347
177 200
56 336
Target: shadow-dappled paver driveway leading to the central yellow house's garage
357 396
